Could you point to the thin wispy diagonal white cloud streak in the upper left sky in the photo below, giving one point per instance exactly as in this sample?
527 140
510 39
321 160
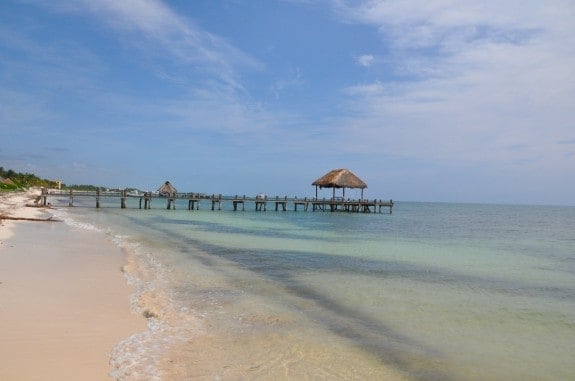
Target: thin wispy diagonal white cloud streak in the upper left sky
156 30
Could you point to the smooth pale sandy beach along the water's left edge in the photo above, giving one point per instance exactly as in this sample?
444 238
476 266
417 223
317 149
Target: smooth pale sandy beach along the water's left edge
64 302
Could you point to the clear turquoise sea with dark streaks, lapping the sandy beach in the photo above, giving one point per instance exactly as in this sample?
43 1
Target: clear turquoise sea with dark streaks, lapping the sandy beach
433 291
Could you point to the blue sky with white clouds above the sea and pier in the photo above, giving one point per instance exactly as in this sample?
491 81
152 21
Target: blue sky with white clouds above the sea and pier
439 100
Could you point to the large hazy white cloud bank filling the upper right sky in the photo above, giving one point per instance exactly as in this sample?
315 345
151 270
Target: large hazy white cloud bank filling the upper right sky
476 79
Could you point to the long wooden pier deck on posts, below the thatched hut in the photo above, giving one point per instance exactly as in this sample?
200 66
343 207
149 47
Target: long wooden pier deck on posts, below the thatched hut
335 204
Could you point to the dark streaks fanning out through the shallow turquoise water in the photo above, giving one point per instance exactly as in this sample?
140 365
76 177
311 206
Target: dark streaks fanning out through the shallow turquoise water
283 267
